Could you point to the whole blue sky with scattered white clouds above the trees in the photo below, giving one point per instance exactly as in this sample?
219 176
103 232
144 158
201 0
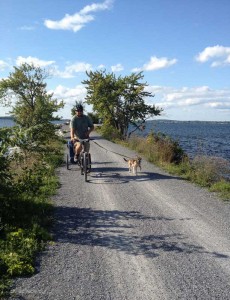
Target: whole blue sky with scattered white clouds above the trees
182 47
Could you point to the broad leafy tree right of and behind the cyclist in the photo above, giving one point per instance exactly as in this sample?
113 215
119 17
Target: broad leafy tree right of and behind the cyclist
119 101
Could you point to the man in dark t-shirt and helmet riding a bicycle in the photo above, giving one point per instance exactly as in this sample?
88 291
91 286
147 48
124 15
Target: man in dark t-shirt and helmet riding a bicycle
80 128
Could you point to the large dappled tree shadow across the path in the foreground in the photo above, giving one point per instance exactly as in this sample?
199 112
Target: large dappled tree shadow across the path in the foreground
117 230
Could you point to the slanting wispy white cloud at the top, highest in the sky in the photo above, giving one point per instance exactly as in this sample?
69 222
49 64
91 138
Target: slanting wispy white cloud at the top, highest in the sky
77 21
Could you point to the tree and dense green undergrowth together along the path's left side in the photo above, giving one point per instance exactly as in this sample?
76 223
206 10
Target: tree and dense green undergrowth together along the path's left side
28 155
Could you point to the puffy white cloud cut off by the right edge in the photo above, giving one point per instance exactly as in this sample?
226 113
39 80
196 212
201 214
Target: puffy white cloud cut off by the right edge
219 55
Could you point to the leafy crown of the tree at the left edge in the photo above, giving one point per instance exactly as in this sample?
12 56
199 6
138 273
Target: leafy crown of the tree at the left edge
25 92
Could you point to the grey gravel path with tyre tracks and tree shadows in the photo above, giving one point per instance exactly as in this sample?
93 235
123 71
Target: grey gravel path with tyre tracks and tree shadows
121 236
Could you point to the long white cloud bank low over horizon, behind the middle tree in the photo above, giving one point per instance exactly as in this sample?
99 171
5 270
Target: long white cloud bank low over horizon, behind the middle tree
198 99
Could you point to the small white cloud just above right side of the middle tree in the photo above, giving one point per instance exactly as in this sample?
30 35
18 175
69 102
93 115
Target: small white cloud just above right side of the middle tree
156 63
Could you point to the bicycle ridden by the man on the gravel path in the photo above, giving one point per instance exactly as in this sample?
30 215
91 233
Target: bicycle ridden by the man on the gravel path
84 159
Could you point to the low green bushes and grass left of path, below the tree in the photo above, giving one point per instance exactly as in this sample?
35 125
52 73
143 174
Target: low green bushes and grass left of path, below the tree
26 210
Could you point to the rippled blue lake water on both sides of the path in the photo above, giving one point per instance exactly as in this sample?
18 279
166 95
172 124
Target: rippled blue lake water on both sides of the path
195 138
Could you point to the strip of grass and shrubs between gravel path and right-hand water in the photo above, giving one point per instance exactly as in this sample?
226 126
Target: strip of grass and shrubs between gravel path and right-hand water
161 150
